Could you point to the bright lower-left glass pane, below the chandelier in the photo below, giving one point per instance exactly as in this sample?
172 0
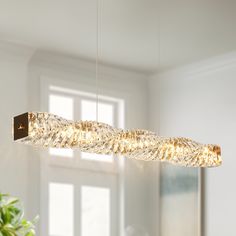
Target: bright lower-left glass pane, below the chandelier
61 209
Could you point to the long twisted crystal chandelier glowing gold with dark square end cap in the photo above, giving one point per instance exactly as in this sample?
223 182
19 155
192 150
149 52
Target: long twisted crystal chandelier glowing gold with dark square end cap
47 130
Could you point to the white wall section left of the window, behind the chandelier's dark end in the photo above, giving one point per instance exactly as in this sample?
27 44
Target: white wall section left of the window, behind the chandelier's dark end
13 99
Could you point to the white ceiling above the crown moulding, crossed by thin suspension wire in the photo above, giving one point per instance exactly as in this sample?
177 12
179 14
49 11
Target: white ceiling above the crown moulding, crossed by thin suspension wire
191 30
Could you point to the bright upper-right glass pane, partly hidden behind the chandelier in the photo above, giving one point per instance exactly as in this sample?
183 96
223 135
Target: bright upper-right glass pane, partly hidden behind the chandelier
105 115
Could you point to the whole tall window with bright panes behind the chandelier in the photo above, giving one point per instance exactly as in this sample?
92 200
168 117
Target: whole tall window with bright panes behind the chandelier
80 190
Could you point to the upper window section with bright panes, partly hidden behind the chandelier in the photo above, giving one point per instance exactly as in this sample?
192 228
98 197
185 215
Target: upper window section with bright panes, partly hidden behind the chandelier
77 105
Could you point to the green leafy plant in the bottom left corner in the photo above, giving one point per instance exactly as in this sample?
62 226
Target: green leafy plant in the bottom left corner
12 222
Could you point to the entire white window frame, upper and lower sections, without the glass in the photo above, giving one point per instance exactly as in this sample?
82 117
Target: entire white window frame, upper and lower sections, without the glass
51 165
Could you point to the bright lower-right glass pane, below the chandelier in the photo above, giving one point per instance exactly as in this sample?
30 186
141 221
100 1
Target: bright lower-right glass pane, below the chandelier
95 213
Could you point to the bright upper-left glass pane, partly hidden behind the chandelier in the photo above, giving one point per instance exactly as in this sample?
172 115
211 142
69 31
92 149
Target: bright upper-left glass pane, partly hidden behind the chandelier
64 107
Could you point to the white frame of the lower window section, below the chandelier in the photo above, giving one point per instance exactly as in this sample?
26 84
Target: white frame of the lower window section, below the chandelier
66 176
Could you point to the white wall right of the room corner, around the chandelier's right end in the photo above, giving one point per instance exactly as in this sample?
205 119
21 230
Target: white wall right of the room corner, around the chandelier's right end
199 101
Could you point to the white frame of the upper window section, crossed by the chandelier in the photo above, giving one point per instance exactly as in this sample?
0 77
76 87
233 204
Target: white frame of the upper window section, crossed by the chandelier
49 85
